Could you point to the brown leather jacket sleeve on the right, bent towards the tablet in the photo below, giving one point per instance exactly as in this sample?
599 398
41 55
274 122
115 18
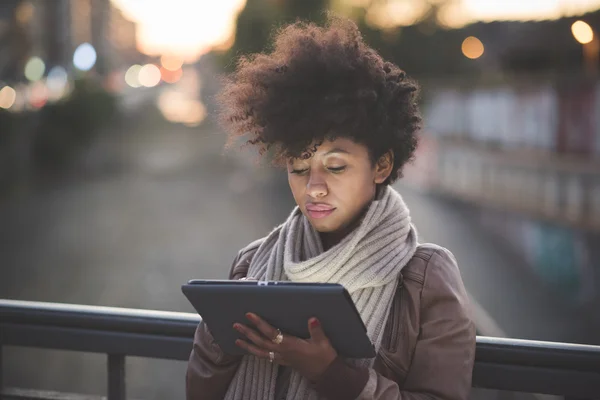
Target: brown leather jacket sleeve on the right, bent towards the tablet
444 354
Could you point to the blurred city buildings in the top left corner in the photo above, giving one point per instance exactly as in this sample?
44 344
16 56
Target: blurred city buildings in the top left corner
52 30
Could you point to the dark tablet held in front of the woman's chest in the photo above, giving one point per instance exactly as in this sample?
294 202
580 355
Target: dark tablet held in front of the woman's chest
285 305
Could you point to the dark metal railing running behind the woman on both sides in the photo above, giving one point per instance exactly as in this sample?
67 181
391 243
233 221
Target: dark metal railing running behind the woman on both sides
568 370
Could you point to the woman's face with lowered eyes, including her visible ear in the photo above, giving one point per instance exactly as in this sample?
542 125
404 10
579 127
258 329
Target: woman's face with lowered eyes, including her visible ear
335 185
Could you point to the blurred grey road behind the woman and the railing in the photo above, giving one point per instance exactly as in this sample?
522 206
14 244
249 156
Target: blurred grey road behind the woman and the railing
177 208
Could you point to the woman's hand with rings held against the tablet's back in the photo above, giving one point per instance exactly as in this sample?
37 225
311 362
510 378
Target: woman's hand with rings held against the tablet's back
310 357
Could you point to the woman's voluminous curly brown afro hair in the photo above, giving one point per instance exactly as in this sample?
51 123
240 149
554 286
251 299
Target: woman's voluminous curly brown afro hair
321 83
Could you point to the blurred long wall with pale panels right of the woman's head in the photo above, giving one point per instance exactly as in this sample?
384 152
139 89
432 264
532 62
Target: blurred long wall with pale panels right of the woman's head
523 153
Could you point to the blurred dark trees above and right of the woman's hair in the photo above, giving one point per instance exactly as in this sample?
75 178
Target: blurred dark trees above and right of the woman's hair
421 36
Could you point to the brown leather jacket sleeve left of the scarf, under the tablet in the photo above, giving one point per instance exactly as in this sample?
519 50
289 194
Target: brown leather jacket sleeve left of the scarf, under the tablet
209 370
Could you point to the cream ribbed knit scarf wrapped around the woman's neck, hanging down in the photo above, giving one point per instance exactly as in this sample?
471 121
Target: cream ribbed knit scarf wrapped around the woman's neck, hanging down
367 262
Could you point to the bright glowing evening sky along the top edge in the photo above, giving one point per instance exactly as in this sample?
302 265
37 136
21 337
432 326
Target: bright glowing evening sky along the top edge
189 28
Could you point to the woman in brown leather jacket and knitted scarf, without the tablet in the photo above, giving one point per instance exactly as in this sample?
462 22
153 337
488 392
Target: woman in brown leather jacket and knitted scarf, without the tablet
344 123
